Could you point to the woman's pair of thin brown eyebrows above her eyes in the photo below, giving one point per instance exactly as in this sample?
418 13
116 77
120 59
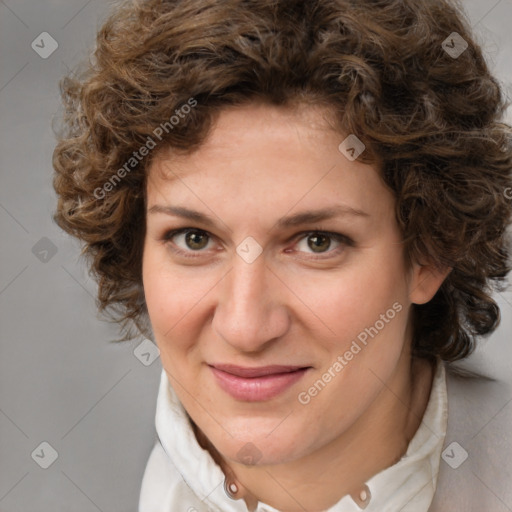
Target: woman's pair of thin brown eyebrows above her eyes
297 219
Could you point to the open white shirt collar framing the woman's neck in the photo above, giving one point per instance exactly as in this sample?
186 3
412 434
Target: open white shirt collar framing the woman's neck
408 485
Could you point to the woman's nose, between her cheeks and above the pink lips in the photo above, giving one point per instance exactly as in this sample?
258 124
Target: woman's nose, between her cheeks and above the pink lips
251 311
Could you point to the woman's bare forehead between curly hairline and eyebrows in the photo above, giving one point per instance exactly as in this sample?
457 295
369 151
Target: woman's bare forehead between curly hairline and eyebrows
269 156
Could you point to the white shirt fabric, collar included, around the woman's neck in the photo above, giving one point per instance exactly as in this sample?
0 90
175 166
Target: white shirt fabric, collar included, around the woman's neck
180 475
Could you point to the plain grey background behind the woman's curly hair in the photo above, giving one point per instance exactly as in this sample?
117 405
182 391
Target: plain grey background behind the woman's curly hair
61 381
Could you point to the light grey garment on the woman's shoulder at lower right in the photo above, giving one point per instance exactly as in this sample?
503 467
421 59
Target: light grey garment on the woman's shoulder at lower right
476 467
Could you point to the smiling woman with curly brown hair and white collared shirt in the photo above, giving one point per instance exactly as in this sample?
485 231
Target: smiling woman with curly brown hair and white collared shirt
304 205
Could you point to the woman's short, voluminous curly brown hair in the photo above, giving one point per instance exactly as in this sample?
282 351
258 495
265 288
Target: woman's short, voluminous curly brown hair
433 120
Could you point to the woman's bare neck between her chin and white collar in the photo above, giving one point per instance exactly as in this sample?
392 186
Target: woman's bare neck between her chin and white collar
377 440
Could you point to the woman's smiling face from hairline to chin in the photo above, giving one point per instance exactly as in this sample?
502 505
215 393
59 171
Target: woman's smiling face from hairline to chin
277 324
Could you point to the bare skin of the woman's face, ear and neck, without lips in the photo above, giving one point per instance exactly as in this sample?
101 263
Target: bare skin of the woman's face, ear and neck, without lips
261 163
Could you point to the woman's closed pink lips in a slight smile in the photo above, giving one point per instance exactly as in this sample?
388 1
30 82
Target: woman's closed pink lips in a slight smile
256 384
